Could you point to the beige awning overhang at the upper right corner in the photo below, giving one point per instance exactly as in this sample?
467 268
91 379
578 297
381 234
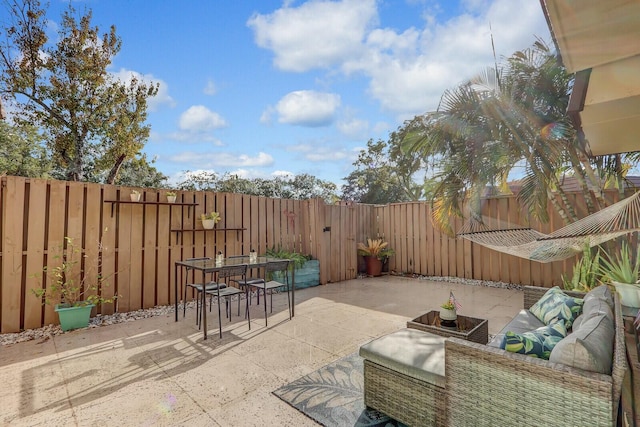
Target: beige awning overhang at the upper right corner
600 41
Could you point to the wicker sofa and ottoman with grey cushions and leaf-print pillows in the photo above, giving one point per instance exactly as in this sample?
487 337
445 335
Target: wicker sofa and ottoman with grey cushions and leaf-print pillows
421 378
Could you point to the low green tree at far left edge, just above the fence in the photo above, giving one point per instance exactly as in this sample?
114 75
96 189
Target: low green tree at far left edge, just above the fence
21 152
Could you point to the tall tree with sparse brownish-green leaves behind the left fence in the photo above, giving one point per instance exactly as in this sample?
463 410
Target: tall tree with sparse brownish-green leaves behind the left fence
90 120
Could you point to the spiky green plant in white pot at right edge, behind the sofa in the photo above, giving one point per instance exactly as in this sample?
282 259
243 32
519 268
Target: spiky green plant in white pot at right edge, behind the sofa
623 271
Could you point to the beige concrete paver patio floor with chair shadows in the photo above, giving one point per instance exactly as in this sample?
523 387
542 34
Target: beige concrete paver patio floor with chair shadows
158 372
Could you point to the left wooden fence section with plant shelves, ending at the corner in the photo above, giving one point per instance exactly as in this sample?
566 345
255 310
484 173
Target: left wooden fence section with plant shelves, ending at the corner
134 244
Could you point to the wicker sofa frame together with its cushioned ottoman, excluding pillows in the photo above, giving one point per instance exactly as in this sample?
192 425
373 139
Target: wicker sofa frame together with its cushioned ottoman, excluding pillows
486 386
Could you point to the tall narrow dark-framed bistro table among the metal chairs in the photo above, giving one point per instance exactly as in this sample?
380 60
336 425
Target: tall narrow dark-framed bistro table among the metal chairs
207 266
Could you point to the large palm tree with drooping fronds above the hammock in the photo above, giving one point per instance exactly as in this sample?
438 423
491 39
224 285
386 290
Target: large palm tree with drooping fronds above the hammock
514 114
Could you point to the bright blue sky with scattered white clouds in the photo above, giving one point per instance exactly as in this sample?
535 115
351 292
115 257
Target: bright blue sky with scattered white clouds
263 88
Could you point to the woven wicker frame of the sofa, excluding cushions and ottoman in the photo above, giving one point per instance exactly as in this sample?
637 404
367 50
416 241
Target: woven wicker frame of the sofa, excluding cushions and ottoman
490 386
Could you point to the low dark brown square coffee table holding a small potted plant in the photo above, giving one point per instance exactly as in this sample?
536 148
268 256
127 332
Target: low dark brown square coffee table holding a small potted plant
467 328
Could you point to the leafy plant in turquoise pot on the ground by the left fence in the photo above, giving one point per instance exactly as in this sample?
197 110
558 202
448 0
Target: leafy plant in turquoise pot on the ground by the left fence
75 292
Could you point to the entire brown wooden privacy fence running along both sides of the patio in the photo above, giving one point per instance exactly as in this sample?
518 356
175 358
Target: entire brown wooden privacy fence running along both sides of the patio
135 244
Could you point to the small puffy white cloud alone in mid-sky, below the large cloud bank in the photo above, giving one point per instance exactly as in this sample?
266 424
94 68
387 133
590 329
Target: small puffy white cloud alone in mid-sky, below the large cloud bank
307 108
